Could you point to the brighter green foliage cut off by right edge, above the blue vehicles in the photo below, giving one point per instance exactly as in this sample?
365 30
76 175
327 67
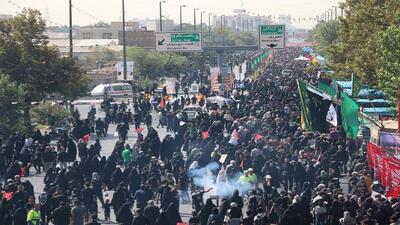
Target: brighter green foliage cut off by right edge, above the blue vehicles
388 56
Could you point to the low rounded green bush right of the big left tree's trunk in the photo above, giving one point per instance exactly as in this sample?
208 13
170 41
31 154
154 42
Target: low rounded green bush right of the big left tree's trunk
48 114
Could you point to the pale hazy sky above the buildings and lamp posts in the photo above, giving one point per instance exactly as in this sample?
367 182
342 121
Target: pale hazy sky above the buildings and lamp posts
91 11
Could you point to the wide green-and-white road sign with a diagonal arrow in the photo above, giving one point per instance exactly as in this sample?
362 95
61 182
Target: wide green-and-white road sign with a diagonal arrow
178 42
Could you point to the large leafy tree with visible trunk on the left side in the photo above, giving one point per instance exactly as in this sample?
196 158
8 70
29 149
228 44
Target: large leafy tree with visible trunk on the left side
34 65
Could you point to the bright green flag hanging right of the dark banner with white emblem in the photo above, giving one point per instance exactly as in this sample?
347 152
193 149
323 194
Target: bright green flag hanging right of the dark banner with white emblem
349 112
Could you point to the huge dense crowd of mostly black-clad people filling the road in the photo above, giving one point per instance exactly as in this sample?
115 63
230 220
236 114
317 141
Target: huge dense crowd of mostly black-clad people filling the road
294 175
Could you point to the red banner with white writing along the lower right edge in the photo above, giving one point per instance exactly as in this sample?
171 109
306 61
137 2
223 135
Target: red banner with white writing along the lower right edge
386 169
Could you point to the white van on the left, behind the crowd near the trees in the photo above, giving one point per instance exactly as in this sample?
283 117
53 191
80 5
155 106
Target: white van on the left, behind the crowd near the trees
115 89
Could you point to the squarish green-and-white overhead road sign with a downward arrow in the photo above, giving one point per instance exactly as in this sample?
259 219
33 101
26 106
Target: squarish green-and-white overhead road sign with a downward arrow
272 36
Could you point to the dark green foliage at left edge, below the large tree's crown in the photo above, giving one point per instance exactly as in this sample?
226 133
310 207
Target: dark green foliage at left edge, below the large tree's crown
10 106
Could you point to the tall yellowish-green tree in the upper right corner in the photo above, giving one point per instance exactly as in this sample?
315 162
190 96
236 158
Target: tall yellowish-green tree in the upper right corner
358 33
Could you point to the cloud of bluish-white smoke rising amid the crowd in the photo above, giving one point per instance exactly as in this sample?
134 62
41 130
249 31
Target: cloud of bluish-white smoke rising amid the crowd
224 187
